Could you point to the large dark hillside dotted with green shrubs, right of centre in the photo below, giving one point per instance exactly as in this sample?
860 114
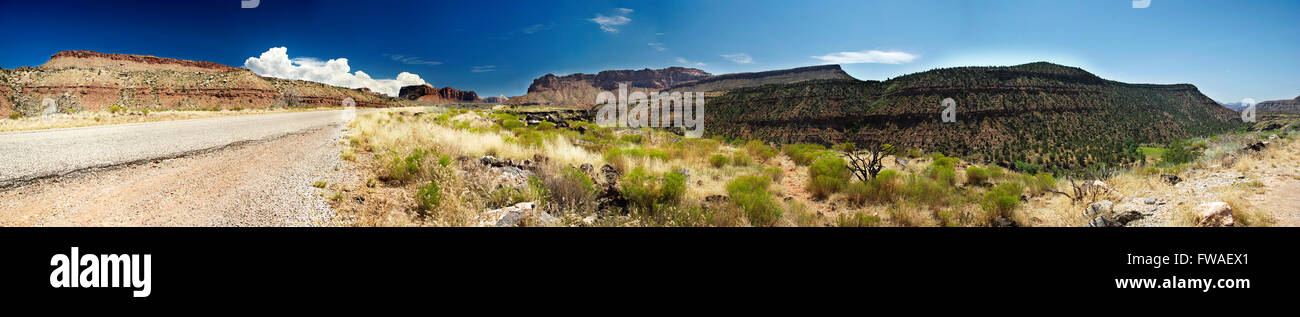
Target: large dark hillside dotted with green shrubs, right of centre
1042 114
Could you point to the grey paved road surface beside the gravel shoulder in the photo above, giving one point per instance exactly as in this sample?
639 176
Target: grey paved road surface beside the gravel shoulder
27 157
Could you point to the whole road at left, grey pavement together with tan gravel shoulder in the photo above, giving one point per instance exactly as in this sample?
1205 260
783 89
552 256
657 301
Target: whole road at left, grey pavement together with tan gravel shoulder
244 171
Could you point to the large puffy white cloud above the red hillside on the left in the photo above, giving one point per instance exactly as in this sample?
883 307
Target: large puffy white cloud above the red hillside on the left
276 63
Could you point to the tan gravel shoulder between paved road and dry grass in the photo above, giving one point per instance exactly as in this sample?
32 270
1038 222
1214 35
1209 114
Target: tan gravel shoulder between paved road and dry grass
257 184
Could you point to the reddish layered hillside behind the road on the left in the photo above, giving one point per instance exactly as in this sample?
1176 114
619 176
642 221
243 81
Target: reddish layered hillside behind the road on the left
92 81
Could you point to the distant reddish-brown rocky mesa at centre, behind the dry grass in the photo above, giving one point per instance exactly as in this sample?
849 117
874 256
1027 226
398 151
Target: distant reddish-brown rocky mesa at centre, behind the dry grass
580 90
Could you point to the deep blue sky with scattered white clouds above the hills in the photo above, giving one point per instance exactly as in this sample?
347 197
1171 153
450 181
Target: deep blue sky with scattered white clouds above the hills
1230 50
